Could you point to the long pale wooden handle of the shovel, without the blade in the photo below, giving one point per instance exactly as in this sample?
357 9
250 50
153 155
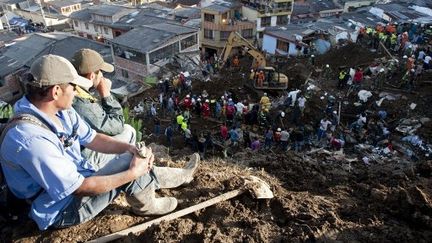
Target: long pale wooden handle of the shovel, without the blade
183 212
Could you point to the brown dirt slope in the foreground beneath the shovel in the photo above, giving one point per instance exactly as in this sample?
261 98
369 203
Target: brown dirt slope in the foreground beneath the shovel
315 199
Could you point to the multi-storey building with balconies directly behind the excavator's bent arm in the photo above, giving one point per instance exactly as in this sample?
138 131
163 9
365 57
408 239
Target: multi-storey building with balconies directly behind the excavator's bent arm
218 20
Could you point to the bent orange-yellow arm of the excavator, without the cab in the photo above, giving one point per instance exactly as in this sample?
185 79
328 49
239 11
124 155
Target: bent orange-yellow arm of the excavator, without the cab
236 40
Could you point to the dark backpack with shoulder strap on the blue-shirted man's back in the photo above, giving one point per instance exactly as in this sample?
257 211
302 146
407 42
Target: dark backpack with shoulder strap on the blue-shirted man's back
13 209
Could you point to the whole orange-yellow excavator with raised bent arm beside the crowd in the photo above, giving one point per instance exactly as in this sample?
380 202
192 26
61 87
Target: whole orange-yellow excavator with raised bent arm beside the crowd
271 79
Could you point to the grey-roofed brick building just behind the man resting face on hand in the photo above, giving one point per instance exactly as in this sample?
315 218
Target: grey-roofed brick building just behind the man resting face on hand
142 51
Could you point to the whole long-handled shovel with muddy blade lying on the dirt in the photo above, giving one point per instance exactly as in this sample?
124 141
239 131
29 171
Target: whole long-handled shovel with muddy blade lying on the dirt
257 187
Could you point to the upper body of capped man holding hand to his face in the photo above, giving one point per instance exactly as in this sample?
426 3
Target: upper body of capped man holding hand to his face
103 113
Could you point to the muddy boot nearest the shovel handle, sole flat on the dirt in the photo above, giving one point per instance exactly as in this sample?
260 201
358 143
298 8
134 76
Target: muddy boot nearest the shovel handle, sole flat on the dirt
144 203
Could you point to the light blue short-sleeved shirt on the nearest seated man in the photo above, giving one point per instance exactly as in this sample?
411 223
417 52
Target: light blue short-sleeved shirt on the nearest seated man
34 158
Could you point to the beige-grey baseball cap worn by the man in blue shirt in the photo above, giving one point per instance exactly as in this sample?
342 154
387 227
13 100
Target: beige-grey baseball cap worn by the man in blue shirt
52 69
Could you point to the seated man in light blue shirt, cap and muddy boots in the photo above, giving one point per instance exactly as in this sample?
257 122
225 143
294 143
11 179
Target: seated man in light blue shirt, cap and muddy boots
47 162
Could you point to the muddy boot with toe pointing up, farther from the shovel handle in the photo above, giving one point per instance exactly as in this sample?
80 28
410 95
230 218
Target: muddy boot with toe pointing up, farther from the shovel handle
174 177
